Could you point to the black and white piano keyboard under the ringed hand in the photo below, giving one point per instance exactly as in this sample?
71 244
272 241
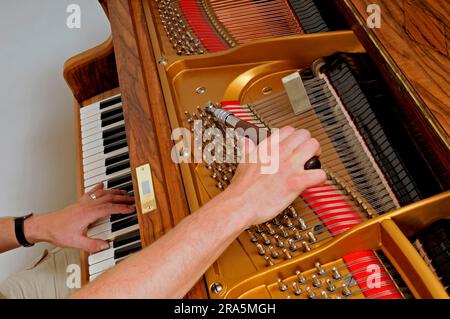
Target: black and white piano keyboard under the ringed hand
106 160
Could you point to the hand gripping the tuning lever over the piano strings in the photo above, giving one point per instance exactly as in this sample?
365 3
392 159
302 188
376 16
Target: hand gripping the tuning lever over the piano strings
266 195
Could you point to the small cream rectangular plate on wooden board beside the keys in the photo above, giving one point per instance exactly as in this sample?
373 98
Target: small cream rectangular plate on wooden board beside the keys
146 191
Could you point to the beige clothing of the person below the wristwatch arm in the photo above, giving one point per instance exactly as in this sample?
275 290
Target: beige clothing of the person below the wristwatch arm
44 279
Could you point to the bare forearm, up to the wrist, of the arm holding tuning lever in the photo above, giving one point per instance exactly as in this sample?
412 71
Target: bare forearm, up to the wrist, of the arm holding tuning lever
172 265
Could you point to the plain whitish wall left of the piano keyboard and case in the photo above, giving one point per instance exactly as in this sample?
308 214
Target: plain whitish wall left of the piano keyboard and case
37 148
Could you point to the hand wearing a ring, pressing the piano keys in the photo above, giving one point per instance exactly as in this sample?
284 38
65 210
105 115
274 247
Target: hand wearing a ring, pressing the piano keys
67 227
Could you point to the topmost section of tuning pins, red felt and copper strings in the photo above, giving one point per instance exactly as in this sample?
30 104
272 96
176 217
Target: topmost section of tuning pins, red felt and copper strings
201 26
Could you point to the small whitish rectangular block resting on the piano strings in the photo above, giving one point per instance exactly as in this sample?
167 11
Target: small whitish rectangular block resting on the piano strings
296 92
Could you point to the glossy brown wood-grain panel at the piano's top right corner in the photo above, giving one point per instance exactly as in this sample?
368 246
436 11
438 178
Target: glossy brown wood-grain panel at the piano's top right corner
417 73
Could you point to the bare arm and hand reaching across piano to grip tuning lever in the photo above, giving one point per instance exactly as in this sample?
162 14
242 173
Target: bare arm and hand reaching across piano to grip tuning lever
172 265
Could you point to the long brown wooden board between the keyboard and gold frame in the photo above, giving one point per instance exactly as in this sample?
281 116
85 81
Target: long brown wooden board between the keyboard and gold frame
148 128
